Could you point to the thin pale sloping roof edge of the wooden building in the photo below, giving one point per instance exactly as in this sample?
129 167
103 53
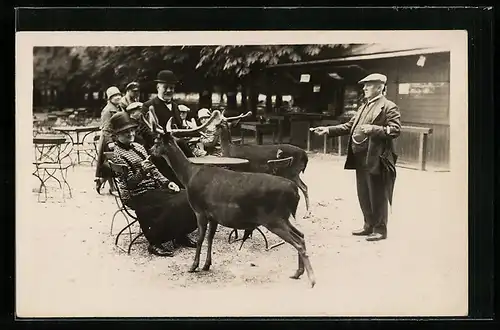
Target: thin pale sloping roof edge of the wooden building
411 52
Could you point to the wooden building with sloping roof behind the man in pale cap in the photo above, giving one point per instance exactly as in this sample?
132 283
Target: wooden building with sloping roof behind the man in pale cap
418 81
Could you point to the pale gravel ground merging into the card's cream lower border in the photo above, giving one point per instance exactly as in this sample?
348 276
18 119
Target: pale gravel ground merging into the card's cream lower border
68 265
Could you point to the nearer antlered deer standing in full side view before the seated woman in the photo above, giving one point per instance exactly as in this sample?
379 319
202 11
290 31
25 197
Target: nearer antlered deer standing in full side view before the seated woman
238 200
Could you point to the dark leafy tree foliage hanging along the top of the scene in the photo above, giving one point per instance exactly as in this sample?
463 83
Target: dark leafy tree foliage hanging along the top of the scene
99 67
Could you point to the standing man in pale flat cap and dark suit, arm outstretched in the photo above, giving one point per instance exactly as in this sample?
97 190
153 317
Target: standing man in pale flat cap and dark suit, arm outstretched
371 153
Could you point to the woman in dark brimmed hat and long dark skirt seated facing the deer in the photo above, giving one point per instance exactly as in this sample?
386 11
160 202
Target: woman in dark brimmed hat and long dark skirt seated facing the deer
162 209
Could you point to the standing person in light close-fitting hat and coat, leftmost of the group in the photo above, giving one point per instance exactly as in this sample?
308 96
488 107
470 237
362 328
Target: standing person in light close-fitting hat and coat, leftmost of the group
103 173
